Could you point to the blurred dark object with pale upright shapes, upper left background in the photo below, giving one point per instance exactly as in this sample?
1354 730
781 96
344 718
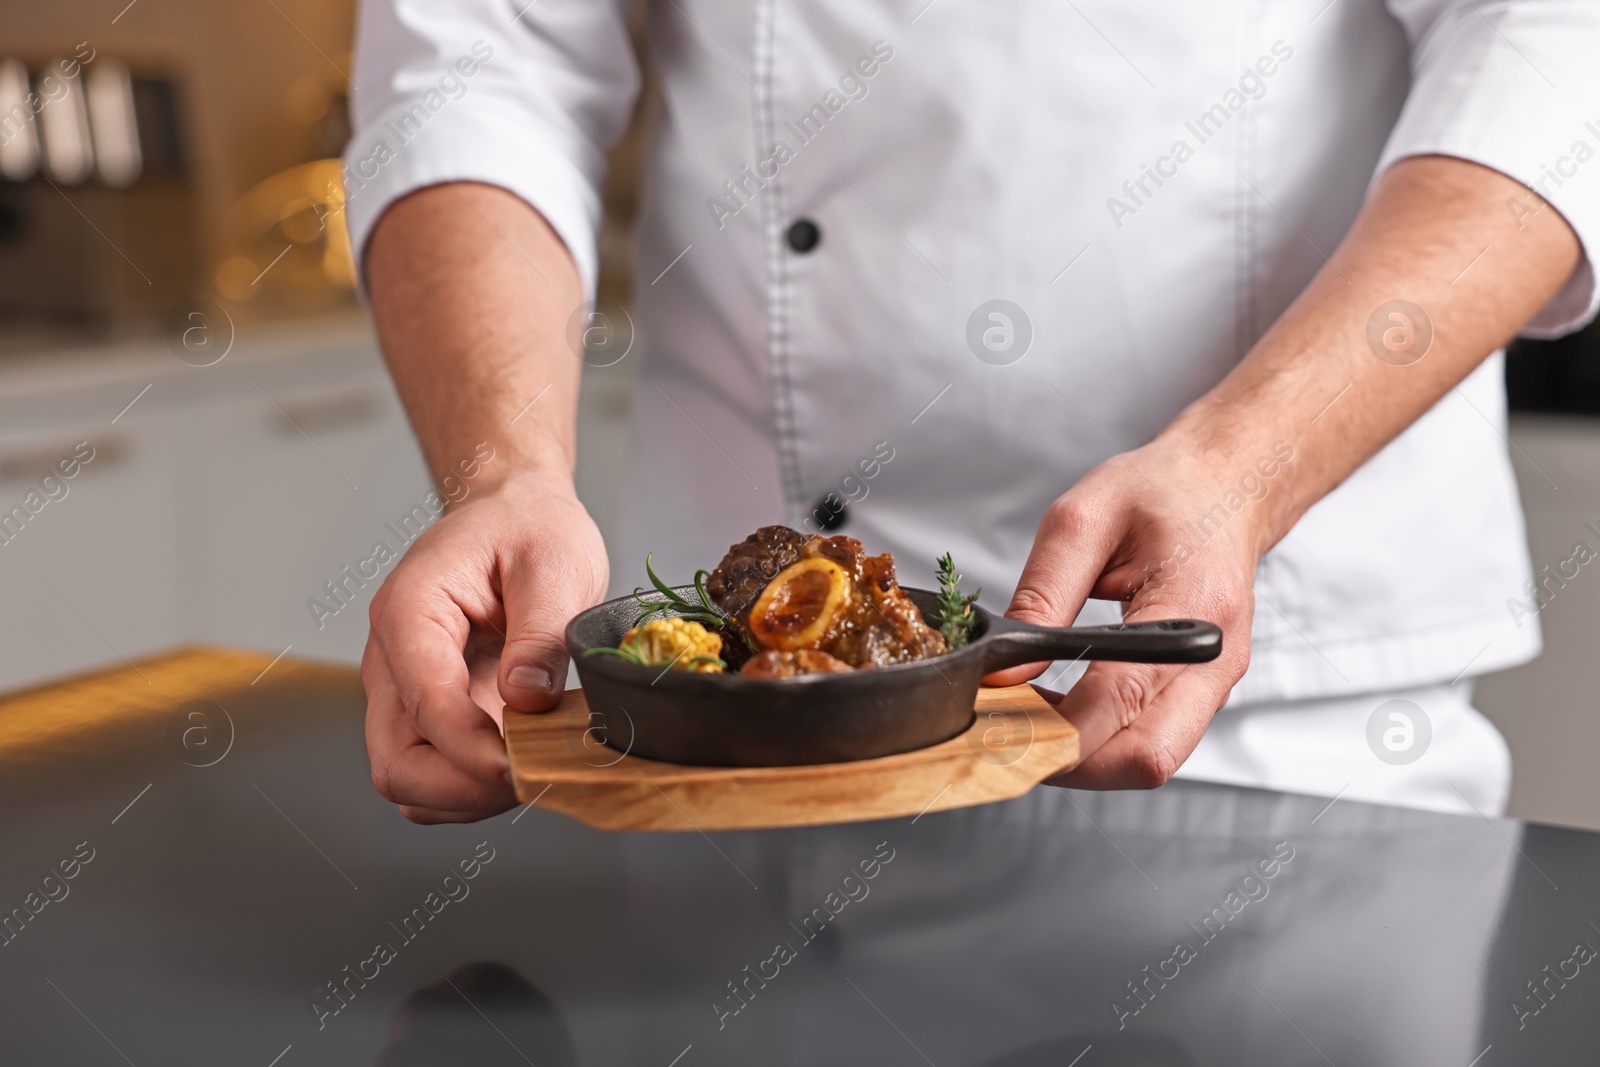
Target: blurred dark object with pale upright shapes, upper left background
87 140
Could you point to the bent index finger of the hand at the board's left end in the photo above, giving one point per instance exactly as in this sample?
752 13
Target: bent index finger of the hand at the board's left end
422 637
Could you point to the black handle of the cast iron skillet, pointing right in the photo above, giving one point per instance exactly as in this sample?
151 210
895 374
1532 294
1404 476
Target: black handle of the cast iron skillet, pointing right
1162 642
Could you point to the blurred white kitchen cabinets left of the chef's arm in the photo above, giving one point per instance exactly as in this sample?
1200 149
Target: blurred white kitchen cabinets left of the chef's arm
214 508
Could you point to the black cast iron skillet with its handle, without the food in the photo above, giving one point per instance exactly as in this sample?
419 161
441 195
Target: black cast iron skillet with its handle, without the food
726 721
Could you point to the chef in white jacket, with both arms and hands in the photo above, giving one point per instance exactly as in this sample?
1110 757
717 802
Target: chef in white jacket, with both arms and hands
1138 310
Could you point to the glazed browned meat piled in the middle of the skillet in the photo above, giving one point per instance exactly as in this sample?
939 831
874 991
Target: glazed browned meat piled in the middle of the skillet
793 594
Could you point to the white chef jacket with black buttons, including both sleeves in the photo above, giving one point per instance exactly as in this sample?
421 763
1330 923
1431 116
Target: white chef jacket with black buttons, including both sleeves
1150 183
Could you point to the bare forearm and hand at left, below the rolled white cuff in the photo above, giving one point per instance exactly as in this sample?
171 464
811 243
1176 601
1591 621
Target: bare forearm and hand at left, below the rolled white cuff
471 294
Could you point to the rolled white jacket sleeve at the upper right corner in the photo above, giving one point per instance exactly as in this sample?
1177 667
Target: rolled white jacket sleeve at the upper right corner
1514 86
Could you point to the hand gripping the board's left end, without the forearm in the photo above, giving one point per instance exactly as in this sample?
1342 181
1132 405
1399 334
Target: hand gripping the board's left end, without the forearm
473 618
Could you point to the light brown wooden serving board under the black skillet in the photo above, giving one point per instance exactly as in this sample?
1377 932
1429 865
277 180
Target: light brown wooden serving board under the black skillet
1015 743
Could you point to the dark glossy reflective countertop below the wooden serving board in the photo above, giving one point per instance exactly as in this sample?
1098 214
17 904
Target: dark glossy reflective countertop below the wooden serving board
257 903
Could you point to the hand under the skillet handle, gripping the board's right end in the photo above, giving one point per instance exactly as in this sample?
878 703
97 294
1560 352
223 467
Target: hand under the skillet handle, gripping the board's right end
1151 529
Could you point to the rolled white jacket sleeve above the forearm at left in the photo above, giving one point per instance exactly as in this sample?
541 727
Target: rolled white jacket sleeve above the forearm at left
527 97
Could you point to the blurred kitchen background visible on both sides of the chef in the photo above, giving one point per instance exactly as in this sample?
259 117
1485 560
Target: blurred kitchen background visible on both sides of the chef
175 289
